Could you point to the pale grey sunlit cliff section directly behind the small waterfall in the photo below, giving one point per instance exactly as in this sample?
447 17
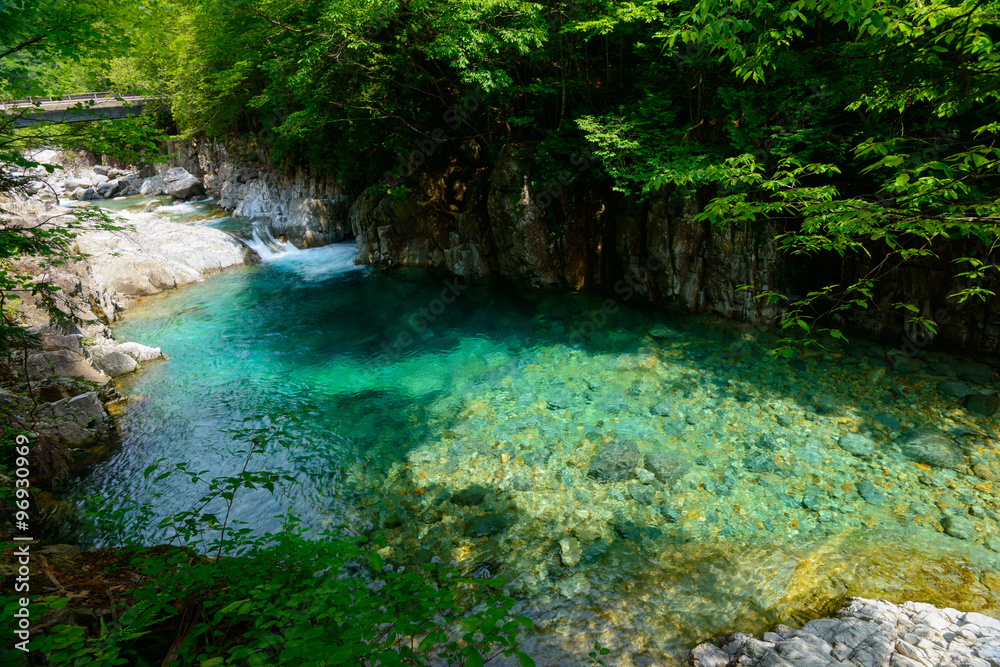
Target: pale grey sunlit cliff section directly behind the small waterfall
300 207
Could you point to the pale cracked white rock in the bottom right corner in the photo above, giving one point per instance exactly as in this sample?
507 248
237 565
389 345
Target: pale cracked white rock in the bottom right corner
865 633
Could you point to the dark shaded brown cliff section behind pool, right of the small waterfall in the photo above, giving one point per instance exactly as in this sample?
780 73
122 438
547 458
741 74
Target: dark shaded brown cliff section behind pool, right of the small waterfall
498 224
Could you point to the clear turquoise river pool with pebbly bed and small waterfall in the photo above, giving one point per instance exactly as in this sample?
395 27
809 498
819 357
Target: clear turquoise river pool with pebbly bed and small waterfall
420 387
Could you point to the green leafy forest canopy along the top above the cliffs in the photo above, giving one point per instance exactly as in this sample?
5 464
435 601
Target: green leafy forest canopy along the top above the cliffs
852 122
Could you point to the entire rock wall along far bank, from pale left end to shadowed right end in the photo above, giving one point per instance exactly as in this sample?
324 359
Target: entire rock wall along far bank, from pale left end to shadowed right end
490 219
